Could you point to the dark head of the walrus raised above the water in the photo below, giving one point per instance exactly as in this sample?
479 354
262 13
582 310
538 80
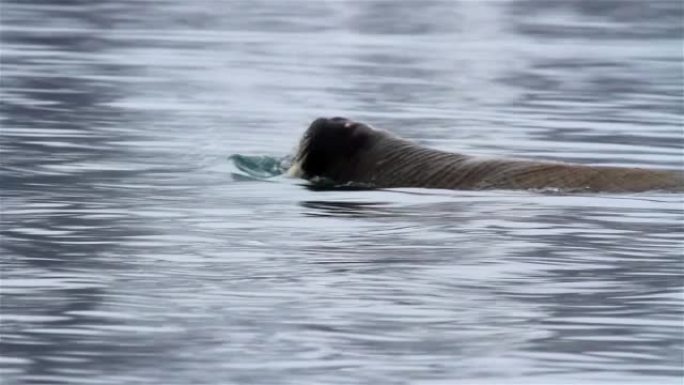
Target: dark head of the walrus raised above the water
330 149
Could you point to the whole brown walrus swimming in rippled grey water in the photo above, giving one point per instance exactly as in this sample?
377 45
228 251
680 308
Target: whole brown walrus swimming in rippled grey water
346 152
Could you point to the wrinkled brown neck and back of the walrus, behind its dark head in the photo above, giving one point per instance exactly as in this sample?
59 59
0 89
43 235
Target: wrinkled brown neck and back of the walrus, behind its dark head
395 162
